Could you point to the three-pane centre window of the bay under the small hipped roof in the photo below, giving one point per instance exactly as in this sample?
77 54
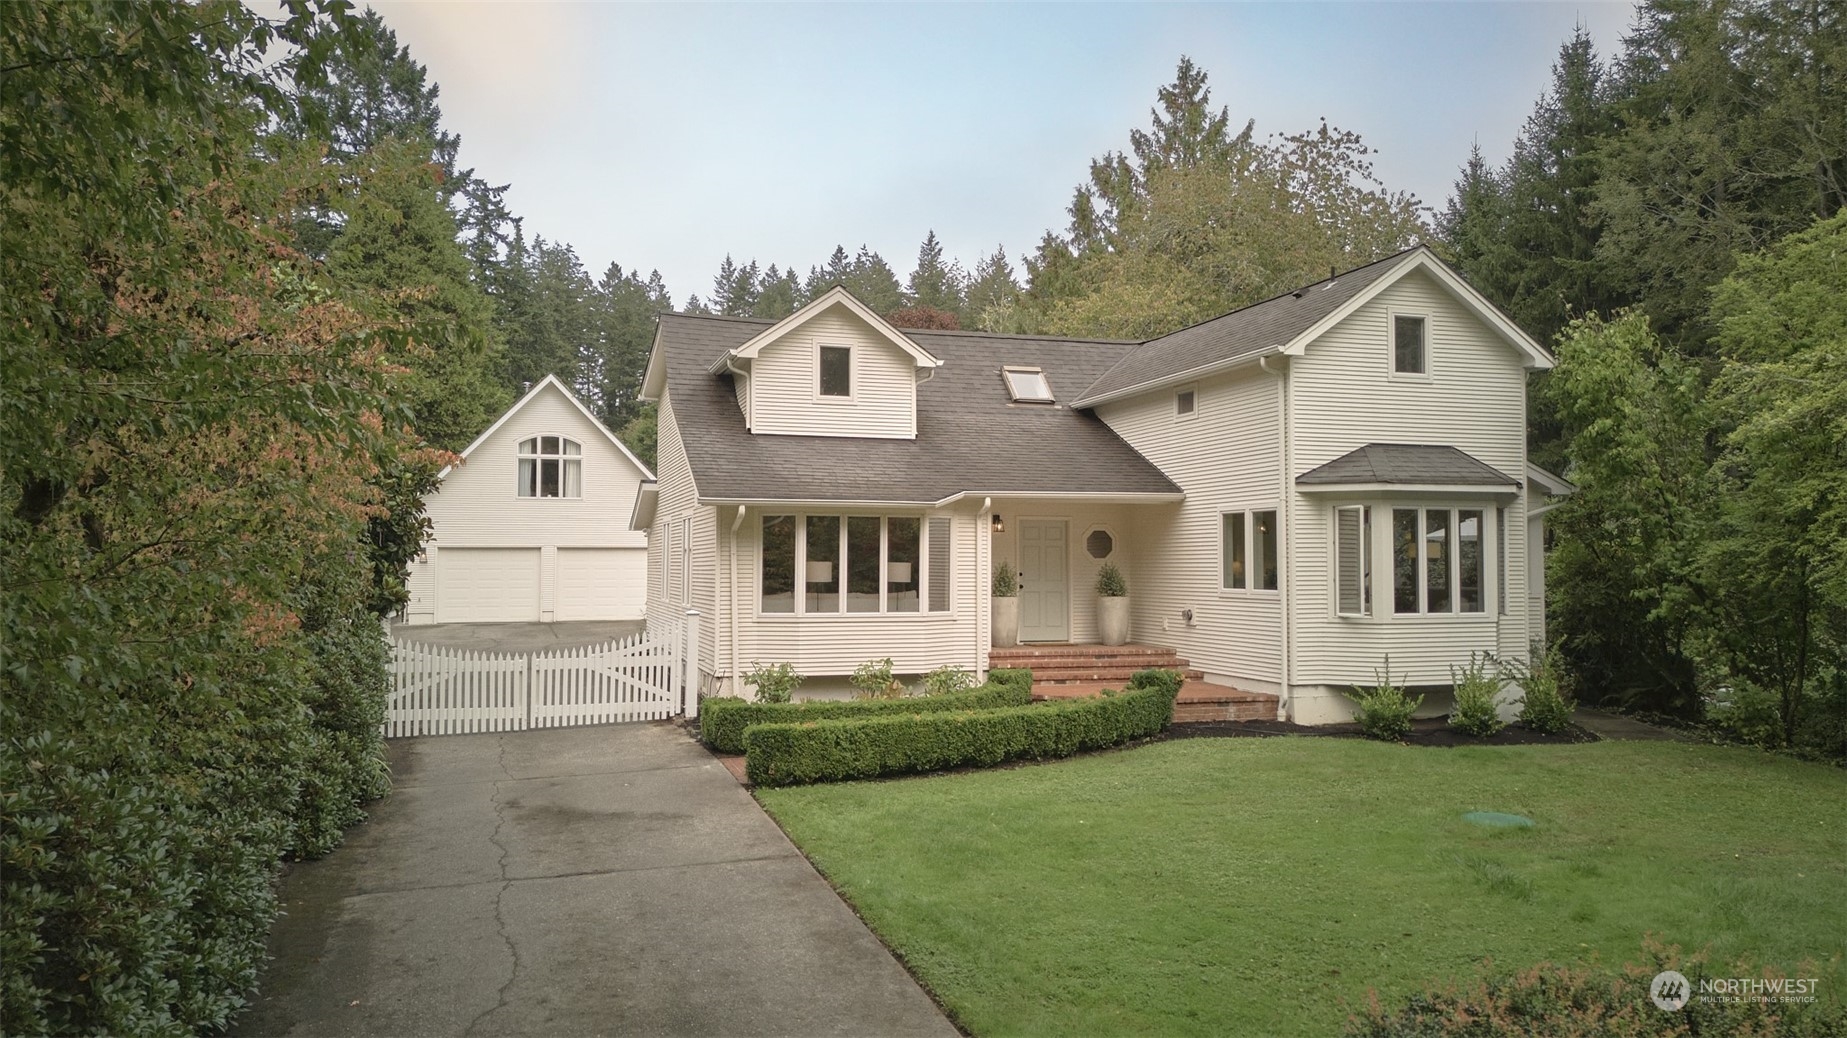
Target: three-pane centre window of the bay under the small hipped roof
1438 561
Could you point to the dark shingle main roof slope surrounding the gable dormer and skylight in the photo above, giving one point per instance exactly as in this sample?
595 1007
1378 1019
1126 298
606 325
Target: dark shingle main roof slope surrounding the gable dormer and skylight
971 439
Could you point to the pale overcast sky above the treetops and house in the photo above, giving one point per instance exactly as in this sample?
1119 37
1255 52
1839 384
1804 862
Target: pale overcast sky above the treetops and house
670 136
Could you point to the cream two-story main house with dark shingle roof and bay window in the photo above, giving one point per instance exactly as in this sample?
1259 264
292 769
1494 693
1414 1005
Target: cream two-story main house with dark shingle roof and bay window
1296 492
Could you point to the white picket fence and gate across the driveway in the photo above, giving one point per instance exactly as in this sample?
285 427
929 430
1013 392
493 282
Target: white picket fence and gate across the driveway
457 692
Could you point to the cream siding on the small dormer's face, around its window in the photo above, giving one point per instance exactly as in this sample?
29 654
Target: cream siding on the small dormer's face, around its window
784 383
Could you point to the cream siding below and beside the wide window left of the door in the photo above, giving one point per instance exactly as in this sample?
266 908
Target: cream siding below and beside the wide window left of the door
834 646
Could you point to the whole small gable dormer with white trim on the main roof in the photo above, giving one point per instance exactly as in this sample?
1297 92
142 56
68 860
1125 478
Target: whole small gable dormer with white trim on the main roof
832 368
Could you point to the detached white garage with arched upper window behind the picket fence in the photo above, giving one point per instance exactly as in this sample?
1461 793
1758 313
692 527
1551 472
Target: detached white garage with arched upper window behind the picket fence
531 525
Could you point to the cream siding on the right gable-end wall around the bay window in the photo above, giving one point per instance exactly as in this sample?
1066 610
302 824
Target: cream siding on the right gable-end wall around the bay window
1344 396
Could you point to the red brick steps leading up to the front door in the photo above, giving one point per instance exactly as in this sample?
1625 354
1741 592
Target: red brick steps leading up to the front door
1076 671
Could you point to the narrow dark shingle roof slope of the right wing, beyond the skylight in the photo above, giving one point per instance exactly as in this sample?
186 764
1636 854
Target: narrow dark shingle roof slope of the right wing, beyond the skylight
1238 335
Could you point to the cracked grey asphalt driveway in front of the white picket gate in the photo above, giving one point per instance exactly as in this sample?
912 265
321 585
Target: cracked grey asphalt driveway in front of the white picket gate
573 882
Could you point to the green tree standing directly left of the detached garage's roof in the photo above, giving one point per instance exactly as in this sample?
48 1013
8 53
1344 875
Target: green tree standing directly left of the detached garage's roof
400 247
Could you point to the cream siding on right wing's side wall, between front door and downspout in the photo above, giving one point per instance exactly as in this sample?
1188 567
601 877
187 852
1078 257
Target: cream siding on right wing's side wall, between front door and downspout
1227 459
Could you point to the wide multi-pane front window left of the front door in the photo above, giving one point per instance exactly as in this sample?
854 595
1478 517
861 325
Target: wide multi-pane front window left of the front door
854 564
